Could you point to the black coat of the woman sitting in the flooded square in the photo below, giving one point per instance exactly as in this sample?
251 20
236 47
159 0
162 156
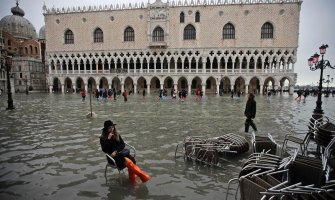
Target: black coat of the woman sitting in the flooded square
109 146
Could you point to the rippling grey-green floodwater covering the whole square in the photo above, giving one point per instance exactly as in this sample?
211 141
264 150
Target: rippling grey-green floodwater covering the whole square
50 150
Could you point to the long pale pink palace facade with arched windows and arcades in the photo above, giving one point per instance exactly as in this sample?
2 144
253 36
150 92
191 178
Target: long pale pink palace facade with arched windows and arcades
217 46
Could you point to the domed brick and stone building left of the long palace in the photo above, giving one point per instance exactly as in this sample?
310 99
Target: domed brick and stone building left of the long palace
21 42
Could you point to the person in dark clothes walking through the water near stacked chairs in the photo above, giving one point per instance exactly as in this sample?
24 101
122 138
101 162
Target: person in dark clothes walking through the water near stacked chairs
250 112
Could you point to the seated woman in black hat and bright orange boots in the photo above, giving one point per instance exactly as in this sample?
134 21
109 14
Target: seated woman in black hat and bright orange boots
112 144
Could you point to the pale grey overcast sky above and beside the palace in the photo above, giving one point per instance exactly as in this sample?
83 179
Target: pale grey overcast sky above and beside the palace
317 27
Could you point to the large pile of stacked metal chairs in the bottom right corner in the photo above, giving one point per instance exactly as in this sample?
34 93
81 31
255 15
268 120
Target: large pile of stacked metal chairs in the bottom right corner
297 176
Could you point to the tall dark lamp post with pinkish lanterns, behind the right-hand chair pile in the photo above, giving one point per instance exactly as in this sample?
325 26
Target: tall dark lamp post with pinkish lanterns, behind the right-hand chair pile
315 64
